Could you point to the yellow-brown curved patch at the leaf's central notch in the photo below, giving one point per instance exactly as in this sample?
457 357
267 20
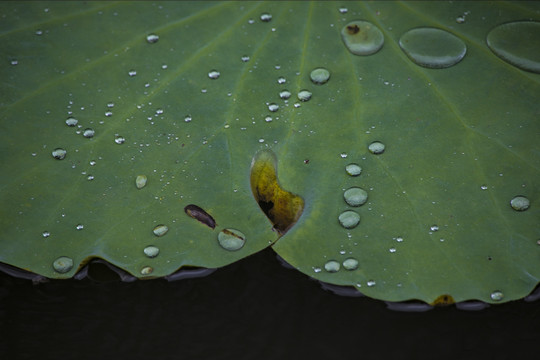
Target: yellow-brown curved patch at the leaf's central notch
282 207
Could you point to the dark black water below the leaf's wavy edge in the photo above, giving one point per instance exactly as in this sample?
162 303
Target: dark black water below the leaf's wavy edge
252 309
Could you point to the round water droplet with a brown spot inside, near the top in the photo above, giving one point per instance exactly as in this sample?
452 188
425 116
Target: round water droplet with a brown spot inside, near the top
362 37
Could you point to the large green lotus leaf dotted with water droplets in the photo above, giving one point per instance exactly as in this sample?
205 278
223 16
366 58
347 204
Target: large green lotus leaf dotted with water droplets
461 142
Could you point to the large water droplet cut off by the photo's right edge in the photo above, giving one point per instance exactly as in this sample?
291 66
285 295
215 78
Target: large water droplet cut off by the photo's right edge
517 43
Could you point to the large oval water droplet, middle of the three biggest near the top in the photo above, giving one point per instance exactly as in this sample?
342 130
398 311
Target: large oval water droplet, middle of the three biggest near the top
432 48
